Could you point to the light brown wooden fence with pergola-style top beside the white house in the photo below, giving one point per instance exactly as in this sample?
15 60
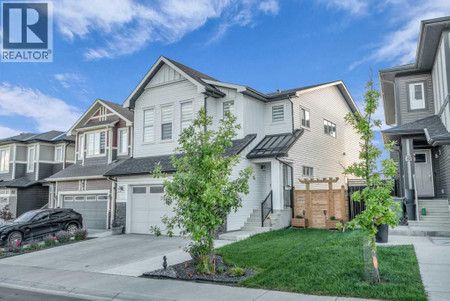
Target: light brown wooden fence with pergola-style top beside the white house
314 202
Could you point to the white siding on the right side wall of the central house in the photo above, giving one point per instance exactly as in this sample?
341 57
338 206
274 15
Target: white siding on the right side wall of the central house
317 149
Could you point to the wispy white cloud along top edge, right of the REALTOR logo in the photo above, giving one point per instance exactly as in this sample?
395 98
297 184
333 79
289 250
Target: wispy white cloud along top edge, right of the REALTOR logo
128 26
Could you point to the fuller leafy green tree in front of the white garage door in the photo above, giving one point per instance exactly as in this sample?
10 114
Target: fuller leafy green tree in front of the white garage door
202 192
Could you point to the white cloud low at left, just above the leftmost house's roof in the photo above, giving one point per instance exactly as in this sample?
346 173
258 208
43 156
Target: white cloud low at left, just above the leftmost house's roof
47 112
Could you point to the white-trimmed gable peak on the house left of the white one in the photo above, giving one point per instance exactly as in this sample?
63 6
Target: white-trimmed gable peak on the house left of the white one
124 113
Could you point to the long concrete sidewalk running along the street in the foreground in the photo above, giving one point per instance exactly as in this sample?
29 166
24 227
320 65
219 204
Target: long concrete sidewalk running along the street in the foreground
99 286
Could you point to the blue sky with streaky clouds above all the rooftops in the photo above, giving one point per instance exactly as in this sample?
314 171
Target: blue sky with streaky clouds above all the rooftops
102 48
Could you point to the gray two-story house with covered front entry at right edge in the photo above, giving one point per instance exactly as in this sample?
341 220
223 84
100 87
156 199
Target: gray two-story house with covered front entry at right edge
416 102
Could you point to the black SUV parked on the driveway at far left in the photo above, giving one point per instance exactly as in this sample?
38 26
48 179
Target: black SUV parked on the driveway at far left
38 223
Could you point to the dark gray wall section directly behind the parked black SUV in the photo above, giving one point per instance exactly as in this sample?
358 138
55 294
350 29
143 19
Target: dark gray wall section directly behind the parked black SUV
31 198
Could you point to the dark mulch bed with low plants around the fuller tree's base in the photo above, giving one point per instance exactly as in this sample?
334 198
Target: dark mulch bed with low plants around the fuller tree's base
186 271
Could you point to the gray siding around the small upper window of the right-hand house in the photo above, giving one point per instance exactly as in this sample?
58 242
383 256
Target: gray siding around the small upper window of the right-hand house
404 115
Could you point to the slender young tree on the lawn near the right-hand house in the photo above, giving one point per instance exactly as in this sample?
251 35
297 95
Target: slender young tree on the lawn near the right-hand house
377 195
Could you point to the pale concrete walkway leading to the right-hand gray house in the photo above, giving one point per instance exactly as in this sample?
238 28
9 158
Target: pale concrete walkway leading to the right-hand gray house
433 255
